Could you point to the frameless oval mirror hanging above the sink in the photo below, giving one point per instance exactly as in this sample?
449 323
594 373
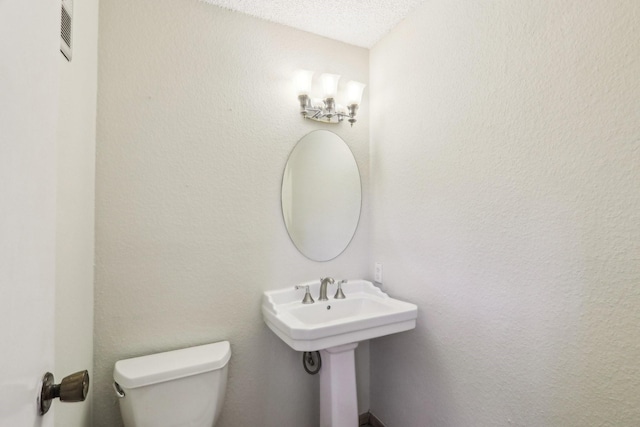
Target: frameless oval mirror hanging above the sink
321 195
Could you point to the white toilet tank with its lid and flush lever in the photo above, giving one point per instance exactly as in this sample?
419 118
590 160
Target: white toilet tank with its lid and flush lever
177 388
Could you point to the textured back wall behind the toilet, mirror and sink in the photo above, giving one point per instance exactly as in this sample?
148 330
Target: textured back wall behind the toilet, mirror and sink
196 119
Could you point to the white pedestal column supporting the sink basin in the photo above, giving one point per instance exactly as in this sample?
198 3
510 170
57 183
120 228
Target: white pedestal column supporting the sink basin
338 396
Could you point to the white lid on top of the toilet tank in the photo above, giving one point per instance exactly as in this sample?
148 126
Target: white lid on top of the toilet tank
171 365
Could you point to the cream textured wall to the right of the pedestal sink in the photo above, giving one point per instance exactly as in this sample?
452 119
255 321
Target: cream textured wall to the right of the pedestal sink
505 174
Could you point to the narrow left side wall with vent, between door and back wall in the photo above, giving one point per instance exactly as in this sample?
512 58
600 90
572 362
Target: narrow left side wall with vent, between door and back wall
75 209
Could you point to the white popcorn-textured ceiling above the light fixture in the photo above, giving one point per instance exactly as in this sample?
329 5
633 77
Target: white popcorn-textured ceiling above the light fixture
357 22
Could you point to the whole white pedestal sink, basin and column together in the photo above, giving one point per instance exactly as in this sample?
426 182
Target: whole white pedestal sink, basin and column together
335 328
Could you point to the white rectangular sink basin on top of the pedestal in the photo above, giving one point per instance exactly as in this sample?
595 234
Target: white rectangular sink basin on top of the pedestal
365 313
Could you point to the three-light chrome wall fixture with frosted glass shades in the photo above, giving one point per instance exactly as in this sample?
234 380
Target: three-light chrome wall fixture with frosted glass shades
326 109
